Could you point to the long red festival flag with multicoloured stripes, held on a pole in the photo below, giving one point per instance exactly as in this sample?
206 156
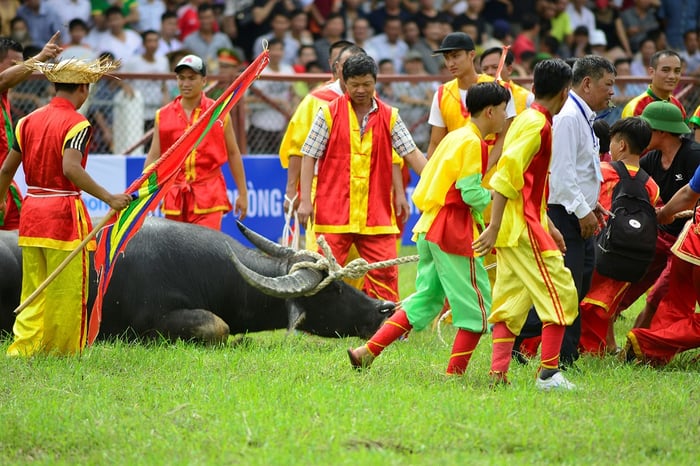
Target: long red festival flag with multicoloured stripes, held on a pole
150 188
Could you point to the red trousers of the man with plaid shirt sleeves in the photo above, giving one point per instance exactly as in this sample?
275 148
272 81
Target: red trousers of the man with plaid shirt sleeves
379 283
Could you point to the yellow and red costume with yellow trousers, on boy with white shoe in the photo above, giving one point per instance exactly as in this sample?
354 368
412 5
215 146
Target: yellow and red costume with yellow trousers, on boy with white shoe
530 266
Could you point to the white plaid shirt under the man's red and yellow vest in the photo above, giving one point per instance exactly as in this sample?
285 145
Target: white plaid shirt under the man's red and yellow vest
315 144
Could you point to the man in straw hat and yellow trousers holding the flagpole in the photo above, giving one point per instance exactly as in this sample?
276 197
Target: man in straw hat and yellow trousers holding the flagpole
52 144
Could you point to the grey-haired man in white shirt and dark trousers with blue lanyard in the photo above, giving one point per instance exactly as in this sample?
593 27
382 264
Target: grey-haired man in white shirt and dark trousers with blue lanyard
574 182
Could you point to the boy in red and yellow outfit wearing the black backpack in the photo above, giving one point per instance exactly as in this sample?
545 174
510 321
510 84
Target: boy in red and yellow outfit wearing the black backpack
628 139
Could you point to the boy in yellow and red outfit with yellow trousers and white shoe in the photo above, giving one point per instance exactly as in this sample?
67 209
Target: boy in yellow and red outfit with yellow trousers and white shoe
530 263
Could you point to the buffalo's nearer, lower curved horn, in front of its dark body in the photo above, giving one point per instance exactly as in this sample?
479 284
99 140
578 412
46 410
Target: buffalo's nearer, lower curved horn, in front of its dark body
287 286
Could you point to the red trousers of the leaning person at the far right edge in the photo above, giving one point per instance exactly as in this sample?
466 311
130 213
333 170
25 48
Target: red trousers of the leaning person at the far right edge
675 326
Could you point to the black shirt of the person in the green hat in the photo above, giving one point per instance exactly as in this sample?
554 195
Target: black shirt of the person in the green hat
678 175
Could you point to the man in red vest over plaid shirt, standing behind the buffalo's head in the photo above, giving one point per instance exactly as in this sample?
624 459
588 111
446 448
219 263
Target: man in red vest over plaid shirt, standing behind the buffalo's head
352 139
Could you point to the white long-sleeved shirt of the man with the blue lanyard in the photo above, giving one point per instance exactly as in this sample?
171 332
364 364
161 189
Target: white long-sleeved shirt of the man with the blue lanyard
575 175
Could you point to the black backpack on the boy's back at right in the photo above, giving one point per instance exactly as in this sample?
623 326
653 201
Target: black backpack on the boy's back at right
627 244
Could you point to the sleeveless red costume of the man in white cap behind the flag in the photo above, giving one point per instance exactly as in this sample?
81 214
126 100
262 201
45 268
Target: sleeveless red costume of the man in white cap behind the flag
199 194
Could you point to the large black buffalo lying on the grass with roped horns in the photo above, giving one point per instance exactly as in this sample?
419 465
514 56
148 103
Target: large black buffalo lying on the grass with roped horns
183 281
